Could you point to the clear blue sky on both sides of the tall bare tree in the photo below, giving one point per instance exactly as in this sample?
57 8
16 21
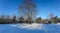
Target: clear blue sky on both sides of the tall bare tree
45 7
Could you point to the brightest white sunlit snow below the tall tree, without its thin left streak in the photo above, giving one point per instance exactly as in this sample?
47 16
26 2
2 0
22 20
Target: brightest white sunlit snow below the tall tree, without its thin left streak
31 26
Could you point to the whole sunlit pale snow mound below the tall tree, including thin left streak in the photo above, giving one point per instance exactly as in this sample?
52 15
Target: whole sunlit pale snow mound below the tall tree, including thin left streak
32 26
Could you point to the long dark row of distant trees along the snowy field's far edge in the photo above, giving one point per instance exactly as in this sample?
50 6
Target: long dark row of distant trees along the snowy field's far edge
6 19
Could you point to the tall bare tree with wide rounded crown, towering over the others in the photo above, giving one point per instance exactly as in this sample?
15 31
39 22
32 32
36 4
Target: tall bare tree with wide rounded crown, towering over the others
28 9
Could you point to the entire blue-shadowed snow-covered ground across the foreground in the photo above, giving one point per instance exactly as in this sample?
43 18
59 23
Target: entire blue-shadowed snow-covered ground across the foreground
30 28
